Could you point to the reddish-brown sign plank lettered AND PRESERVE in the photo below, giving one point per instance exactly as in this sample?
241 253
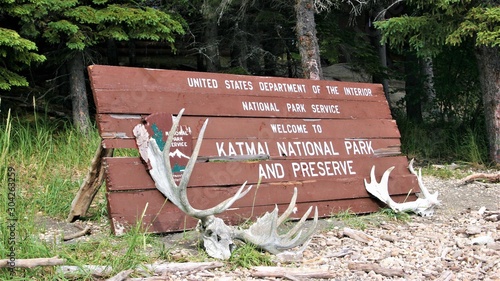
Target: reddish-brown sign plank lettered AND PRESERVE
130 173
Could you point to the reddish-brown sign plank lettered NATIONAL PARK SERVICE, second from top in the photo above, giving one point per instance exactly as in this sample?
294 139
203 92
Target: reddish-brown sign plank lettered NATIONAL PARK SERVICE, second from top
130 102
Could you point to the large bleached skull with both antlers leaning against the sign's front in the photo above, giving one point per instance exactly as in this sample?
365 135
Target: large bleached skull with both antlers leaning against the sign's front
217 236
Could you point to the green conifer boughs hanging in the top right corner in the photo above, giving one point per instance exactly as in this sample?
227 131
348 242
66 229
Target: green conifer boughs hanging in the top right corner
434 24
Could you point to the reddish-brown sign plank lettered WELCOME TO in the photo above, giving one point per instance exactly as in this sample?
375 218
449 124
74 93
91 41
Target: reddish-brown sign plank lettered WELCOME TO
263 128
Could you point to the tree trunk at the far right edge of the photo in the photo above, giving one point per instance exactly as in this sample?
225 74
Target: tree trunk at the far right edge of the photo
489 68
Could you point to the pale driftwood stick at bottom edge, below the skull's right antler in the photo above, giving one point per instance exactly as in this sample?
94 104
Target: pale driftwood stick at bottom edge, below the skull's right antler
291 273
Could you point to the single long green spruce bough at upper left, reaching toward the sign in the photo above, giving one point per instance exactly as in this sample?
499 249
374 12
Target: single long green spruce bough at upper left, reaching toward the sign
80 25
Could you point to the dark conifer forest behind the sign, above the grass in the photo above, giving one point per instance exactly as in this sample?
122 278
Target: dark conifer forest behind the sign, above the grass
445 52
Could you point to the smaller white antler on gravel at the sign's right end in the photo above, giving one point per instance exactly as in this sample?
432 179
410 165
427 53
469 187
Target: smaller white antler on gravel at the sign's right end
423 206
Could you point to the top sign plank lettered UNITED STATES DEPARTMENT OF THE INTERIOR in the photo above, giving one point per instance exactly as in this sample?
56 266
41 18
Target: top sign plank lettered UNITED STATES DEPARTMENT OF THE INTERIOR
155 80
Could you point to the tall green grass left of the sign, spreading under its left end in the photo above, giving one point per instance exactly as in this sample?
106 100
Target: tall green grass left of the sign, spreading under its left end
51 159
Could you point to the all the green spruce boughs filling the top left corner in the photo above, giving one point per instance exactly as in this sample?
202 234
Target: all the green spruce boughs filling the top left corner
73 25
